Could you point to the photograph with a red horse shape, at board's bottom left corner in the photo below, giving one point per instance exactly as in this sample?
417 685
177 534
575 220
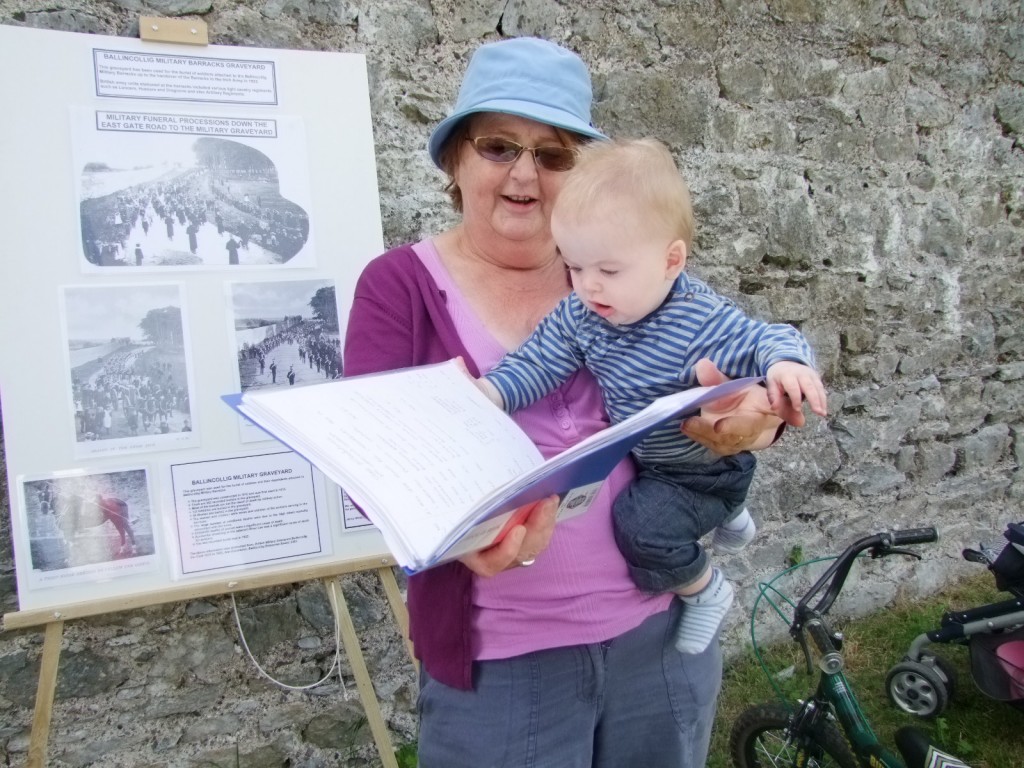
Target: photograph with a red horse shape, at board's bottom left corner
89 520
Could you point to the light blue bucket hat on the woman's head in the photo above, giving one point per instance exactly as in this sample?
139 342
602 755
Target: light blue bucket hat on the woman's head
528 77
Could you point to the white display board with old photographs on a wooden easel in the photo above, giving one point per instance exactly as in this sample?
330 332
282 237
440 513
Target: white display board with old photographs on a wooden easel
179 223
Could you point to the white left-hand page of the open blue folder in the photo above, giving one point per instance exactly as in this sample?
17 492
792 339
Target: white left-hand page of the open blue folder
363 420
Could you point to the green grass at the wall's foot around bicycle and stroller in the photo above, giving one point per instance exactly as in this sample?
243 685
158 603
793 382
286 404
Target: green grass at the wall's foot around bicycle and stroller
985 733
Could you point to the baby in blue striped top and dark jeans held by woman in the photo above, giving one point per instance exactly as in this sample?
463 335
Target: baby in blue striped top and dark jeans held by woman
624 225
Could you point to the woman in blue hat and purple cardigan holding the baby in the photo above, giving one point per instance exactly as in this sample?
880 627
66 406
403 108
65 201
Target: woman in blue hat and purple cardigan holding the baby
540 652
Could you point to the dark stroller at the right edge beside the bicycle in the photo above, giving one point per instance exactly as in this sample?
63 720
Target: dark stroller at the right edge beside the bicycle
924 684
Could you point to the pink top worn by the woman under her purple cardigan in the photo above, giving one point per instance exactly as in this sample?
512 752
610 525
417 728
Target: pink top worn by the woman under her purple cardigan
579 591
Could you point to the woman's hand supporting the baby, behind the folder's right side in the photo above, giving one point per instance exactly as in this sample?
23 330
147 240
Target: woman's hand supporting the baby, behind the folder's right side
741 422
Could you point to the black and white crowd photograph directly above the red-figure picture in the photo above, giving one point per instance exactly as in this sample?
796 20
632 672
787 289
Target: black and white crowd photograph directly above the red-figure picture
131 374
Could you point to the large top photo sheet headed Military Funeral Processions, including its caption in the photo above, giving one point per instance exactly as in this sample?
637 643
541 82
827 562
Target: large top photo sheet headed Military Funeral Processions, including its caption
162 191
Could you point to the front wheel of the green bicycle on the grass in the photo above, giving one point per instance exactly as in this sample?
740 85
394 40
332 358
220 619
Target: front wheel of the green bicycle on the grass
761 739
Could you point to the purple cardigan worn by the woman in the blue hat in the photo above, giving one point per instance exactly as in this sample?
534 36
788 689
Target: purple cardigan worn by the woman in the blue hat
400 319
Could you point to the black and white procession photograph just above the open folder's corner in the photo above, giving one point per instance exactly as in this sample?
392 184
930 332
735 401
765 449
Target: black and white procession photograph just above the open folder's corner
286 333
